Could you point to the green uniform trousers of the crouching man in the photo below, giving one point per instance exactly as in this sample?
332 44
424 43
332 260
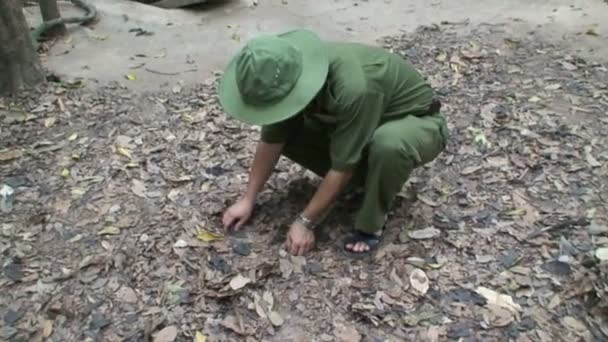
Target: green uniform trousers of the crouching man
396 148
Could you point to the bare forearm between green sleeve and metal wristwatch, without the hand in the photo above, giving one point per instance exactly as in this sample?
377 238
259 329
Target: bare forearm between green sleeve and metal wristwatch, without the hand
331 186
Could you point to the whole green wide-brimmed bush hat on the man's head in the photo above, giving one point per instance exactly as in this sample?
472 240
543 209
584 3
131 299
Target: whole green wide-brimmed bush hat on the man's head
273 77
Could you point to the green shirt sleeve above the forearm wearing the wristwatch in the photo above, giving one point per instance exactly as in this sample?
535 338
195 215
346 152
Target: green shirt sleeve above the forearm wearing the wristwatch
357 121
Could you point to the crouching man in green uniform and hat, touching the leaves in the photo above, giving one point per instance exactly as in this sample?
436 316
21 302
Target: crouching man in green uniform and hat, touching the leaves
355 115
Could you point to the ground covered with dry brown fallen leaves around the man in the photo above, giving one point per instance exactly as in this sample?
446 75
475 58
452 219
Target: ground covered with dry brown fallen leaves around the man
112 232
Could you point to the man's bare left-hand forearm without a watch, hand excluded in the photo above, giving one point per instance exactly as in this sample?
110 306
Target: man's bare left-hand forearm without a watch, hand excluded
265 158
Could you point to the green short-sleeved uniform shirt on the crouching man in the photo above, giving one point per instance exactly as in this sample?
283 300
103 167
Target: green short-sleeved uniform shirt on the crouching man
366 86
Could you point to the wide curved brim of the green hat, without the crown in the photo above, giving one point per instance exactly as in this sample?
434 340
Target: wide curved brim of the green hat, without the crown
315 63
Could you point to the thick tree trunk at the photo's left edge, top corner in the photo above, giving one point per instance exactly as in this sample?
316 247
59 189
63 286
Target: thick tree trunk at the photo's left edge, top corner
19 62
